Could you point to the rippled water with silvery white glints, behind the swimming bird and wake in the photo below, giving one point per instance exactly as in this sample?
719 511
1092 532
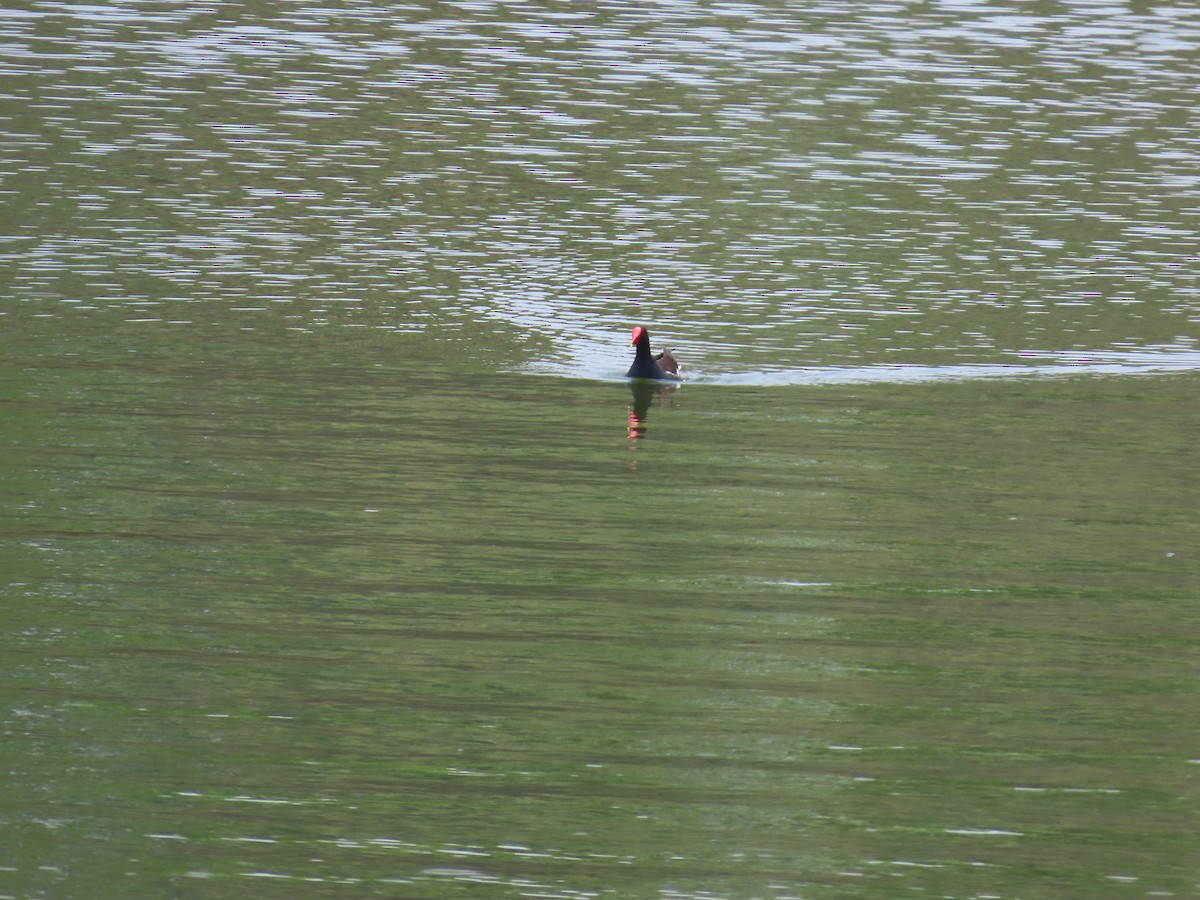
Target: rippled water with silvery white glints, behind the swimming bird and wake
833 185
